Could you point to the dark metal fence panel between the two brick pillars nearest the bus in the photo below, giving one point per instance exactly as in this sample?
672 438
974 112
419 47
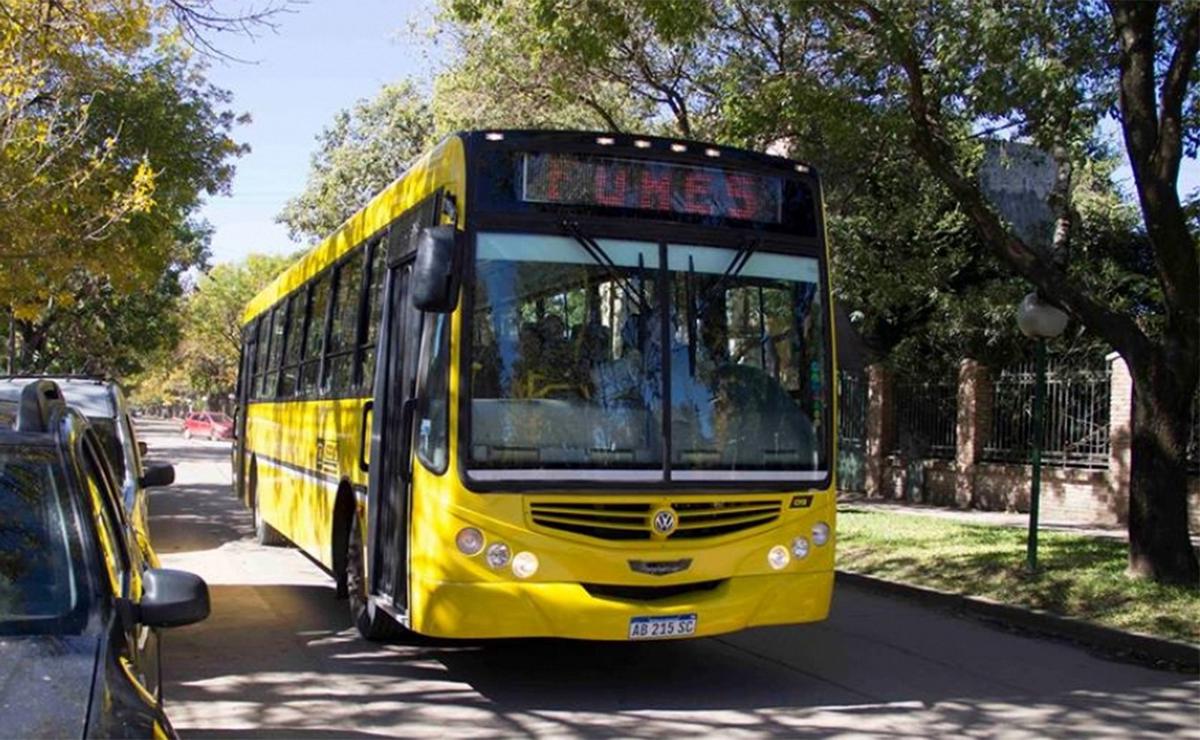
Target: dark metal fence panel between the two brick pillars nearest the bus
926 420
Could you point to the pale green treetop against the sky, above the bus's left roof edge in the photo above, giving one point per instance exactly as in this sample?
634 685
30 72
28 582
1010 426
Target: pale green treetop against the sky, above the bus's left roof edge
361 154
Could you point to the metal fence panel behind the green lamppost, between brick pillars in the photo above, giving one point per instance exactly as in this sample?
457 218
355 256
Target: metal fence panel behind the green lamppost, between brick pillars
1076 417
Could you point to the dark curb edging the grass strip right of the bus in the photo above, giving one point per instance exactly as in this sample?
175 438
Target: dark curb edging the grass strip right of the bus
1179 655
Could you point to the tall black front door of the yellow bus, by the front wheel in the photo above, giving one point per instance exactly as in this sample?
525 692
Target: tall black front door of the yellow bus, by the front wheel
391 467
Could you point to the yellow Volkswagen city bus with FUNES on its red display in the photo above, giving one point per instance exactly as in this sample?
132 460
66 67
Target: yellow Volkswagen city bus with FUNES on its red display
556 384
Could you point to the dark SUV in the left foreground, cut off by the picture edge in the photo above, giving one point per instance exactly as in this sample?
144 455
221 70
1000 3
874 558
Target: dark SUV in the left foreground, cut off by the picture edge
80 606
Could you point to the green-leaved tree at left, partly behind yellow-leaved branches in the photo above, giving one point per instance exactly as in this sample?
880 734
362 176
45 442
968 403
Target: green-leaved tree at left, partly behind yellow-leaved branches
164 116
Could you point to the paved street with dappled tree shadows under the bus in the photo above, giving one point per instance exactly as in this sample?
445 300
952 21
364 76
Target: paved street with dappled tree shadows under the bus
278 659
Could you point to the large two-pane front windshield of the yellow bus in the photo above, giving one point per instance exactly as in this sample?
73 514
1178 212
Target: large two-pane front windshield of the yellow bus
578 351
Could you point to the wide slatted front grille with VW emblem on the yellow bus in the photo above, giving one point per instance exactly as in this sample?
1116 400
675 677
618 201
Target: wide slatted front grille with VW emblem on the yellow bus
635 521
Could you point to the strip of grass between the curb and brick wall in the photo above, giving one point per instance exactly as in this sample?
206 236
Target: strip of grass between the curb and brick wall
1079 576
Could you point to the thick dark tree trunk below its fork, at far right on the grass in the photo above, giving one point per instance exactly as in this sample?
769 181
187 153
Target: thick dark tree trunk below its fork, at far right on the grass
1160 545
